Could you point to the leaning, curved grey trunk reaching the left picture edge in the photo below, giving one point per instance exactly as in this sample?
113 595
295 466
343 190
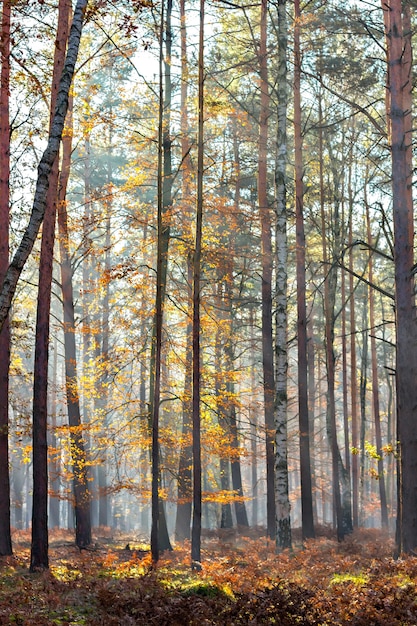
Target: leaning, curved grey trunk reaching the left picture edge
45 166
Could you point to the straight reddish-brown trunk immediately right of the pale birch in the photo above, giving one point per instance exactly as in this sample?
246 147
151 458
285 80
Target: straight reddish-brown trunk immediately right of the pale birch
303 418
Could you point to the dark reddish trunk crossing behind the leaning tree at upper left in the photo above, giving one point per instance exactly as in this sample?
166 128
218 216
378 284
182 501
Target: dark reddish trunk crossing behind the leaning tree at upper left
39 548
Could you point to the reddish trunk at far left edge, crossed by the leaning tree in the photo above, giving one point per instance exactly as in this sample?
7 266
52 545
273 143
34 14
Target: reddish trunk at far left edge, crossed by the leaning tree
5 534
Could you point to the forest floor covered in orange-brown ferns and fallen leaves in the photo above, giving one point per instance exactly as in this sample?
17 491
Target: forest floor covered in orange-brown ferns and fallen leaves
242 582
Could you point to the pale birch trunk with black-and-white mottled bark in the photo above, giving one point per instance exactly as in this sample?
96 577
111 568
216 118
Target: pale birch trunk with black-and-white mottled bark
283 528
